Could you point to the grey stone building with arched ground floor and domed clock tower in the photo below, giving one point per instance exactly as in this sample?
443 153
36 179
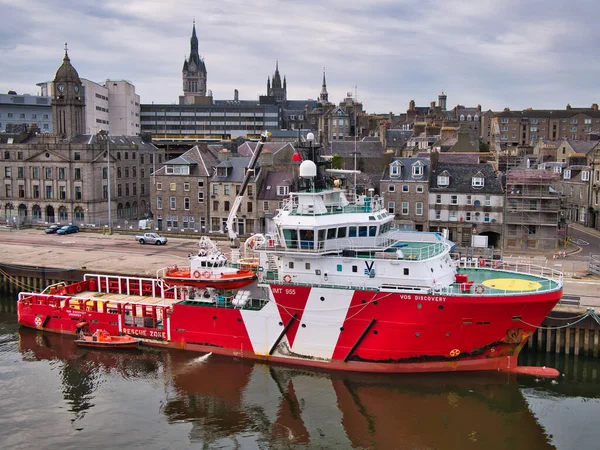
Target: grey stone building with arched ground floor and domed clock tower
70 176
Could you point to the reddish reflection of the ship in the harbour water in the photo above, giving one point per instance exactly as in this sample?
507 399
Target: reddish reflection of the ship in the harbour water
220 402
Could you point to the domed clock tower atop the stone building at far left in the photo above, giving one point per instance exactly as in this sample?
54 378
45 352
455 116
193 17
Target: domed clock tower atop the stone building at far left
68 104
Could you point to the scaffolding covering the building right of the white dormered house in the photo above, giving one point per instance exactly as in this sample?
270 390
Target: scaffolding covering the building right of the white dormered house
532 210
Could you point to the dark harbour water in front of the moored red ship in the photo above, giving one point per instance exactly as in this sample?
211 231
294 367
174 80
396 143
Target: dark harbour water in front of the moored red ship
57 396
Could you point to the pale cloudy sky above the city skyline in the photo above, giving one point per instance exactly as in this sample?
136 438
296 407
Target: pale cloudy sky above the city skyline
519 54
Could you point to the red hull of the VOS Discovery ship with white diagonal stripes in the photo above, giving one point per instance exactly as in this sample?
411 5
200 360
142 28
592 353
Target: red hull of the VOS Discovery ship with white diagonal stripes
352 330
